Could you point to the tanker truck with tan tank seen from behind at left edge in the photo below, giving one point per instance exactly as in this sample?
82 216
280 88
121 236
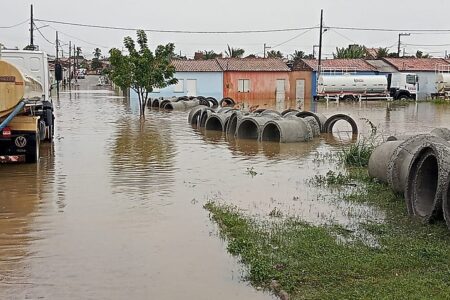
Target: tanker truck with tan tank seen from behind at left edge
26 110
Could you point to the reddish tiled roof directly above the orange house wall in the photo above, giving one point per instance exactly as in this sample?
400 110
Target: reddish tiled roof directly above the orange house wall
253 64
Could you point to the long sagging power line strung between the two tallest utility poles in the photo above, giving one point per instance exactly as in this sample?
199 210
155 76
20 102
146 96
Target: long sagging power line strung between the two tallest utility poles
176 31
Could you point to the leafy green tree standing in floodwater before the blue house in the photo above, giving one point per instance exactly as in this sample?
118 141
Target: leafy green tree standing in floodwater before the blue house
142 70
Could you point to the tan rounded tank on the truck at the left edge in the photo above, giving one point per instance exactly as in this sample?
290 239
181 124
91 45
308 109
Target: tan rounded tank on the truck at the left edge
15 86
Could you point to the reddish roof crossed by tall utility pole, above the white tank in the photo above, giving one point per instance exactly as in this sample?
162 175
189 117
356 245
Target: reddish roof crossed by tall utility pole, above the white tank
341 64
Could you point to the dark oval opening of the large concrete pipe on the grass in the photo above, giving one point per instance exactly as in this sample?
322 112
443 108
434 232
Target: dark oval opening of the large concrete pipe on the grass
426 183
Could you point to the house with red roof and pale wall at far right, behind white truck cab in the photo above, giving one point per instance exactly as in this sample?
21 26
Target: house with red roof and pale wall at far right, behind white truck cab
426 69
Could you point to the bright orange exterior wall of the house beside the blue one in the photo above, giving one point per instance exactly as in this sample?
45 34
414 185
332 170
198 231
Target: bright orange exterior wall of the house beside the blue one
262 86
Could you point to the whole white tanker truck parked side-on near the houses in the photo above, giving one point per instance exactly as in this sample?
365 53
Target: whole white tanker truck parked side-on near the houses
352 87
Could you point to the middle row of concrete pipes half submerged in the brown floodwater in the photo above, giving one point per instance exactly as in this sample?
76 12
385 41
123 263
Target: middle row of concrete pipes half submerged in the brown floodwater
290 126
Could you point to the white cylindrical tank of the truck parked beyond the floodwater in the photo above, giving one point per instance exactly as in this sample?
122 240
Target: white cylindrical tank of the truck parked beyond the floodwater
352 84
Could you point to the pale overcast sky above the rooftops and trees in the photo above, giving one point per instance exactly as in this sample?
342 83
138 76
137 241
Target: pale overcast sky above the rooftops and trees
229 15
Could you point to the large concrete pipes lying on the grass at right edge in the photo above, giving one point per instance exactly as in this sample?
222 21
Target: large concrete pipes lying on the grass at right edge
417 166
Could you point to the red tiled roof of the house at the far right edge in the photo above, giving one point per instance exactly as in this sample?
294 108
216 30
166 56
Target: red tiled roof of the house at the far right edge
416 64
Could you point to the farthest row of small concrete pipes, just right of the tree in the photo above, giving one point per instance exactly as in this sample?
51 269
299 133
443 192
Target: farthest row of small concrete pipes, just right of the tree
185 103
